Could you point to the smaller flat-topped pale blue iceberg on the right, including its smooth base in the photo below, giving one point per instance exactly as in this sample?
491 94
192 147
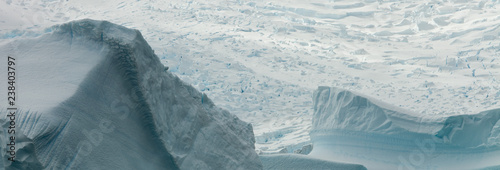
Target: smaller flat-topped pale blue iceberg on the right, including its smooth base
353 128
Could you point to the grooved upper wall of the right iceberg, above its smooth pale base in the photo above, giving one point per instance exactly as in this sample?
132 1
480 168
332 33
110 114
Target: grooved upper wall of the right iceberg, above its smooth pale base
338 110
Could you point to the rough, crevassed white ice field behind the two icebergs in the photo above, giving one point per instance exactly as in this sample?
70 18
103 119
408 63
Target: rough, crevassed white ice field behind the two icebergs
263 59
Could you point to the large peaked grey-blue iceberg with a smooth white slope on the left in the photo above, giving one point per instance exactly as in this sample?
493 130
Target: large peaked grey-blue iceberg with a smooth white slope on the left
93 95
